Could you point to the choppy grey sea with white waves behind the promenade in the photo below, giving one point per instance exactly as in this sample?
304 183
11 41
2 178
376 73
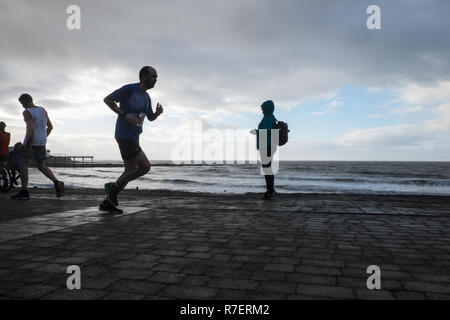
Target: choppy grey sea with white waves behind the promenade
331 177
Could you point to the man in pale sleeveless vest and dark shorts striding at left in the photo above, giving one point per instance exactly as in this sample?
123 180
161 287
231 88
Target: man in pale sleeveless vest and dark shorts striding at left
38 128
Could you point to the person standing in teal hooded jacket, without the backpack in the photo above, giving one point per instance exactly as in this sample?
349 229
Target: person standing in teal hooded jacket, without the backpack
267 149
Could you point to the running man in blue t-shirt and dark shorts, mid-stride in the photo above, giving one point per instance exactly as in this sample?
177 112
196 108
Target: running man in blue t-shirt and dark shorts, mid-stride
135 105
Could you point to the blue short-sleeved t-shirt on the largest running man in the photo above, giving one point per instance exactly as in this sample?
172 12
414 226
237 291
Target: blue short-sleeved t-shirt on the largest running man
131 99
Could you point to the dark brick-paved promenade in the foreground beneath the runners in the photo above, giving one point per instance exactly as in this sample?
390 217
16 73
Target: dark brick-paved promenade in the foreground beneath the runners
198 246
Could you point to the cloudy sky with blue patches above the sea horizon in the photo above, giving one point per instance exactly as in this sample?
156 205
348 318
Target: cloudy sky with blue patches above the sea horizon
347 92
